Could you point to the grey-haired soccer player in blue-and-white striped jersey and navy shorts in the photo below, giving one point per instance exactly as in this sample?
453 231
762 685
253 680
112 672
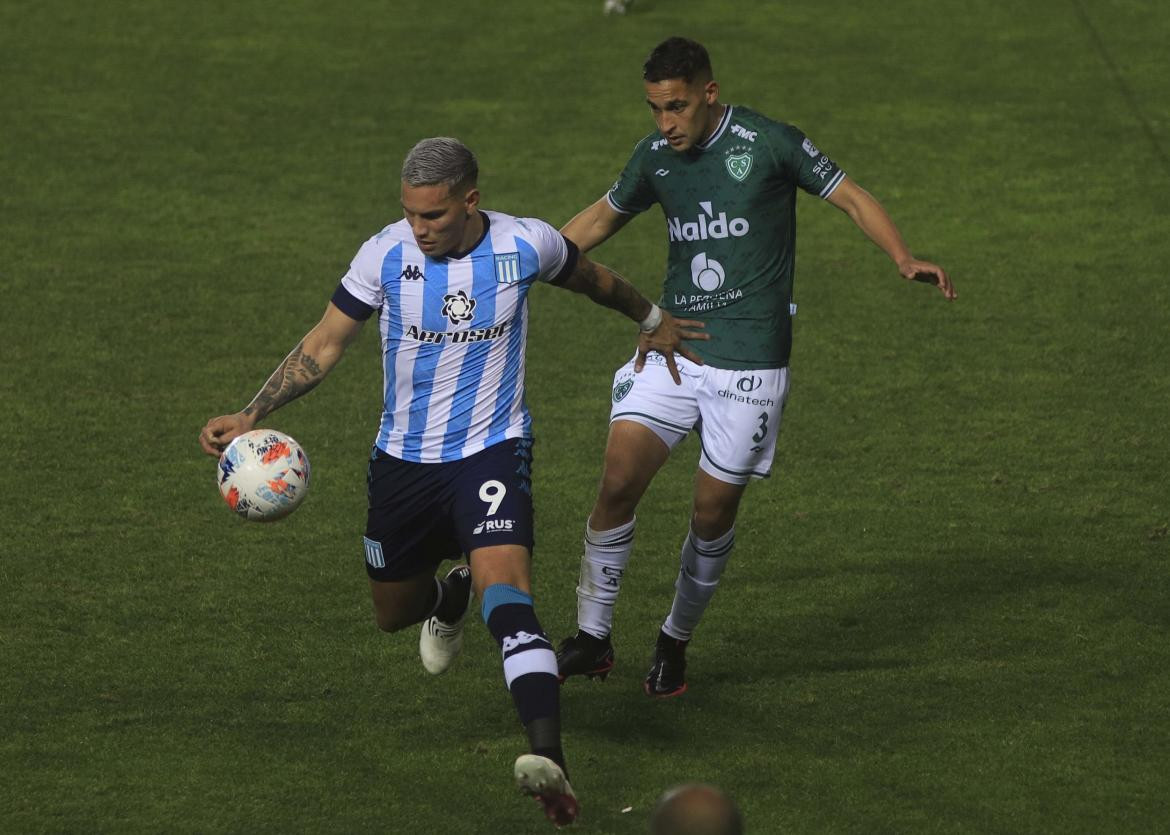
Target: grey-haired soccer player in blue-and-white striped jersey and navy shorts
451 468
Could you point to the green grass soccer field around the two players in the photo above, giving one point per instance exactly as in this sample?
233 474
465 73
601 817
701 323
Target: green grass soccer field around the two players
948 610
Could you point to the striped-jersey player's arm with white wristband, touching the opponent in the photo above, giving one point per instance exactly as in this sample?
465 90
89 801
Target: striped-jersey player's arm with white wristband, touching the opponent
660 332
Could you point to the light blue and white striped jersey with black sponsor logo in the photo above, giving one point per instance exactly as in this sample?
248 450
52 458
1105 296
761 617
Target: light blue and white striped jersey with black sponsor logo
453 333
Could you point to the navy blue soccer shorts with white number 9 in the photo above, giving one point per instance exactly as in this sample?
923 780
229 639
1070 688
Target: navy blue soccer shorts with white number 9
421 515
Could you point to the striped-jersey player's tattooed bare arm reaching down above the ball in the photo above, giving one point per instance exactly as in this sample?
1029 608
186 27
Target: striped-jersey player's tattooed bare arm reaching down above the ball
302 370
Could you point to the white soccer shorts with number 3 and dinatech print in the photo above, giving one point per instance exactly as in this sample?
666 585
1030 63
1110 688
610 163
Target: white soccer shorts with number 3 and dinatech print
737 412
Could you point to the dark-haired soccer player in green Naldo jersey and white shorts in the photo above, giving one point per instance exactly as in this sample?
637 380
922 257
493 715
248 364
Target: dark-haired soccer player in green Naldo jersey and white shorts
727 181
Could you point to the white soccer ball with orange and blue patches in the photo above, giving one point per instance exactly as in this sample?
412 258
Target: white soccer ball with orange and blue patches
264 475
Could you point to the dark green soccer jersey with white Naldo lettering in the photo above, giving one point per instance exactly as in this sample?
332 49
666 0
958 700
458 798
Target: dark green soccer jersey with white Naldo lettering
731 218
